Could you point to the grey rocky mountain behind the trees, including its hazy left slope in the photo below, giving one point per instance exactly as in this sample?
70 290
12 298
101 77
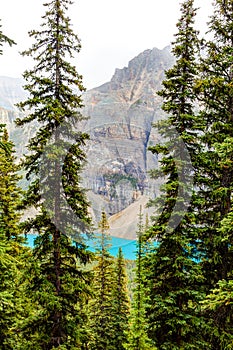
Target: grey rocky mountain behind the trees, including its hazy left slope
121 113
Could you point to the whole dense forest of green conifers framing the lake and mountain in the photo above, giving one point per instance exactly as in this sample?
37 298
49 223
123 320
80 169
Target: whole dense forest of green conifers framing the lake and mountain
59 294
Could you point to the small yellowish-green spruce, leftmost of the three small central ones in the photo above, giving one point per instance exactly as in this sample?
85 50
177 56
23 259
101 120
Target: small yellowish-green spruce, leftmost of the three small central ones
102 307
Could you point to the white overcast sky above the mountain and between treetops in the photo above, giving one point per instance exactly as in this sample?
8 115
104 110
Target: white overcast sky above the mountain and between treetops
111 32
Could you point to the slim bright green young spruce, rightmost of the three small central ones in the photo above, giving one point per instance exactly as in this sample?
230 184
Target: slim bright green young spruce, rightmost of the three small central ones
137 334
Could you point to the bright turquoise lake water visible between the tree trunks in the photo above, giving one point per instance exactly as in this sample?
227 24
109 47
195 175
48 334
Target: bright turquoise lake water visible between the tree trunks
128 246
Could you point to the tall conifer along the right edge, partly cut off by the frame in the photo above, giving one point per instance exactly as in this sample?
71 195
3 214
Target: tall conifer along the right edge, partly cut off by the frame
215 161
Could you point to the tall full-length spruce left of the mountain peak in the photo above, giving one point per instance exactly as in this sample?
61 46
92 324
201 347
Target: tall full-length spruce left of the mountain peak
58 283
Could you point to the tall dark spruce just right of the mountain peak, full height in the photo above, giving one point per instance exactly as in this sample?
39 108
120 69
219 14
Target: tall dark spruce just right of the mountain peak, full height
173 276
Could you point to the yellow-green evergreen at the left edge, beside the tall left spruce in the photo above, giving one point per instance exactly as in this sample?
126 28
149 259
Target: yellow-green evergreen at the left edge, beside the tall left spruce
11 251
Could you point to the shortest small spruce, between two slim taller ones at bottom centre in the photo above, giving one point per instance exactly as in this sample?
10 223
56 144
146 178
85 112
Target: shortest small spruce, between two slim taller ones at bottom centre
120 303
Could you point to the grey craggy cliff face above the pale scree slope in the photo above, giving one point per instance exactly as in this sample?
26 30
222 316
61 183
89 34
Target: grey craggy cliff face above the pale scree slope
121 115
